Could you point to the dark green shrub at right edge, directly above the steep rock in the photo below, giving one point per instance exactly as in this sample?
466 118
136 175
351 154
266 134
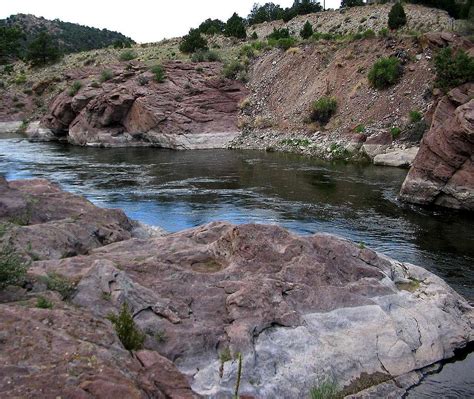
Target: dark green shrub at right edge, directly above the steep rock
453 69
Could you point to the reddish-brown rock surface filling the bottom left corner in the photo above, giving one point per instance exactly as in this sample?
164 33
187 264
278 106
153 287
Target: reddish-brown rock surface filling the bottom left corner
67 352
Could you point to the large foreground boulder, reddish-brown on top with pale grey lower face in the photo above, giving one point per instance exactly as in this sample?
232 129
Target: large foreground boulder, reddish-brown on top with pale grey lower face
298 309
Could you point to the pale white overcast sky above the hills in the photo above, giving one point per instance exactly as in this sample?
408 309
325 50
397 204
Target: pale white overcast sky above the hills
142 20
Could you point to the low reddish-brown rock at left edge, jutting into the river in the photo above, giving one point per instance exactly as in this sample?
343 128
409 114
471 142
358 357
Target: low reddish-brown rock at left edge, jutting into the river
44 222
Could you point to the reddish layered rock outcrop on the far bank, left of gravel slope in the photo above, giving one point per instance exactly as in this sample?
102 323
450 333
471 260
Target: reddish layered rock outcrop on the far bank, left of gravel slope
193 108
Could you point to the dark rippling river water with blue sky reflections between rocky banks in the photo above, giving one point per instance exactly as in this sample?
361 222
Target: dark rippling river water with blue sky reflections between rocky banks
178 190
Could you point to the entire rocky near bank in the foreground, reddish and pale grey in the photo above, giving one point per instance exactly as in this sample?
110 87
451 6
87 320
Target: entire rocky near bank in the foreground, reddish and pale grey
298 309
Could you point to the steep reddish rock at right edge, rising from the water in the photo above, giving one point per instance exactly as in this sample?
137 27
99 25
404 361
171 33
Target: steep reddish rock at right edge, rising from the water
443 171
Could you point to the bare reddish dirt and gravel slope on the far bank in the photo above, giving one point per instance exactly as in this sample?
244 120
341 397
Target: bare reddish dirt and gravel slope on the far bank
284 86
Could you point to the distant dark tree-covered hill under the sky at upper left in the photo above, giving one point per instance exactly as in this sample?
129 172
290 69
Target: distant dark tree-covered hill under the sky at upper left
69 36
